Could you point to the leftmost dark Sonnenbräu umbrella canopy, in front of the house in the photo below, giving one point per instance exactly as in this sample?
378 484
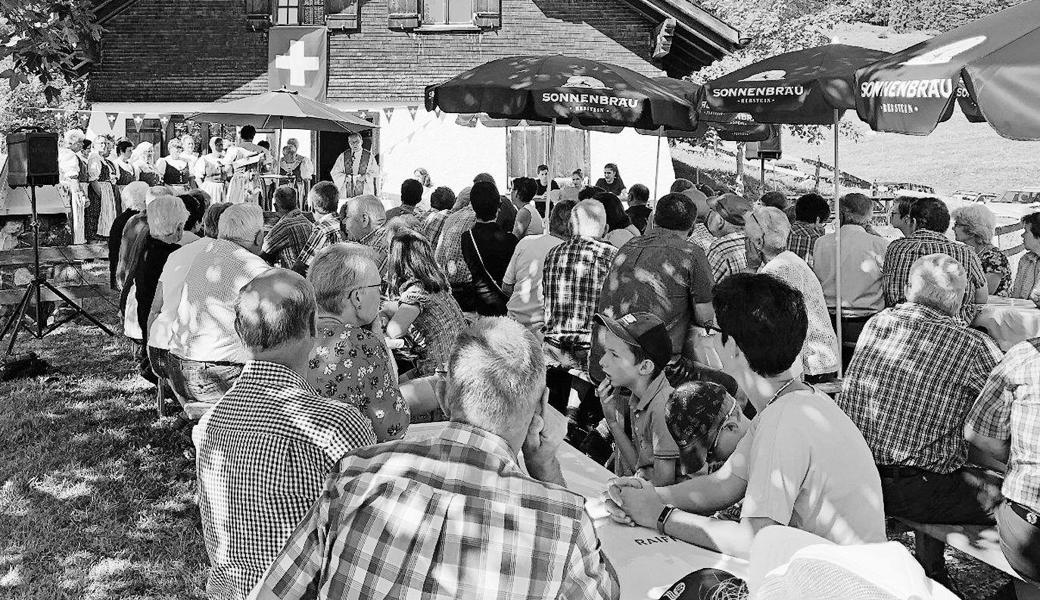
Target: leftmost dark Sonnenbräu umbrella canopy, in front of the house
562 90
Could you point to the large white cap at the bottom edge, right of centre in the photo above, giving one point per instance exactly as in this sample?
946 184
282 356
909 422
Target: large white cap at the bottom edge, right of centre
790 564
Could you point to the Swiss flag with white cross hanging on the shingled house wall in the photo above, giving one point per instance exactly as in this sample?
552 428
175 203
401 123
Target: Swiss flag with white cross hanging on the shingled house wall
298 60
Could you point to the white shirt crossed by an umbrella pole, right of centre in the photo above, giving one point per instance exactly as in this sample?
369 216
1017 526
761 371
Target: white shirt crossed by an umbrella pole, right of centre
863 259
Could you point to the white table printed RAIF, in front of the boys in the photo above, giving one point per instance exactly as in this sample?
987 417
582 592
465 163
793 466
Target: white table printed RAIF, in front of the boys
646 562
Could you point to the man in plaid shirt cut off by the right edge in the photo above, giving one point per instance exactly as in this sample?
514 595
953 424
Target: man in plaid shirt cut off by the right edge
1004 426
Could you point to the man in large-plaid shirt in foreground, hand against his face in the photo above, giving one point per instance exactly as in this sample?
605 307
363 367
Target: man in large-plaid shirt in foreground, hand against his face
456 516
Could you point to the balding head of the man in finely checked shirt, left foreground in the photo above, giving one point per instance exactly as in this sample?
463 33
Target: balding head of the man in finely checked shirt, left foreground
274 310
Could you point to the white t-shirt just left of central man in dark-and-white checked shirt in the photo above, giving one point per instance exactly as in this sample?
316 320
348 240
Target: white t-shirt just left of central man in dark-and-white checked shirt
525 274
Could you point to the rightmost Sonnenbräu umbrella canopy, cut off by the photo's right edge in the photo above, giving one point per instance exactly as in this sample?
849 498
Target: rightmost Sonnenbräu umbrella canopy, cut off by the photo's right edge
995 58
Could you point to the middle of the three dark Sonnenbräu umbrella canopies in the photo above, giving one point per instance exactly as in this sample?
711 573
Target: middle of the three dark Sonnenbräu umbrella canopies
804 87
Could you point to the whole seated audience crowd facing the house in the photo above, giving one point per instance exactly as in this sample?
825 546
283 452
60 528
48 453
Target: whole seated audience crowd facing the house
685 337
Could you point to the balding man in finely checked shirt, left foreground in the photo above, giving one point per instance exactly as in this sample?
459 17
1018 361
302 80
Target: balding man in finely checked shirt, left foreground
266 450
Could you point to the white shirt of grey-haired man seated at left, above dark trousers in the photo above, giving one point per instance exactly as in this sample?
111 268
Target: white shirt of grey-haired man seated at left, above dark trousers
205 326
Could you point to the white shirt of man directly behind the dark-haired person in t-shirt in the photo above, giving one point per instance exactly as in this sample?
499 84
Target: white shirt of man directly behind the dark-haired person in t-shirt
820 351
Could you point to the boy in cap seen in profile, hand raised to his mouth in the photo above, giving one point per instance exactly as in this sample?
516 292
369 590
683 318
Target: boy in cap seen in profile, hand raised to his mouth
636 350
